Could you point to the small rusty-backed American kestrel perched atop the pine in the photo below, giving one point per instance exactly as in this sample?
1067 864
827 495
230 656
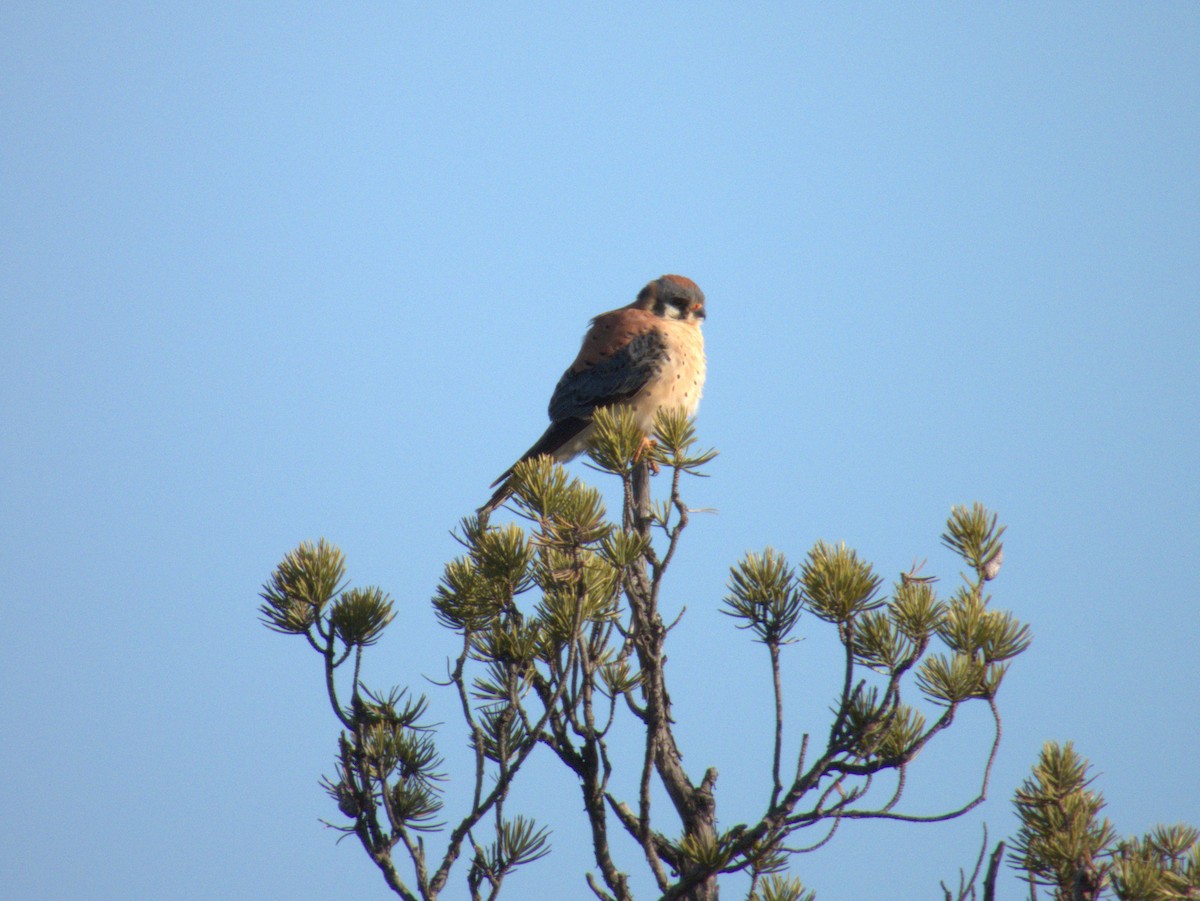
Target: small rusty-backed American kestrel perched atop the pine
649 356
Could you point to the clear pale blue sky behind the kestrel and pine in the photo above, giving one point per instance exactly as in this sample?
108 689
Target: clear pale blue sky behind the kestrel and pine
279 272
